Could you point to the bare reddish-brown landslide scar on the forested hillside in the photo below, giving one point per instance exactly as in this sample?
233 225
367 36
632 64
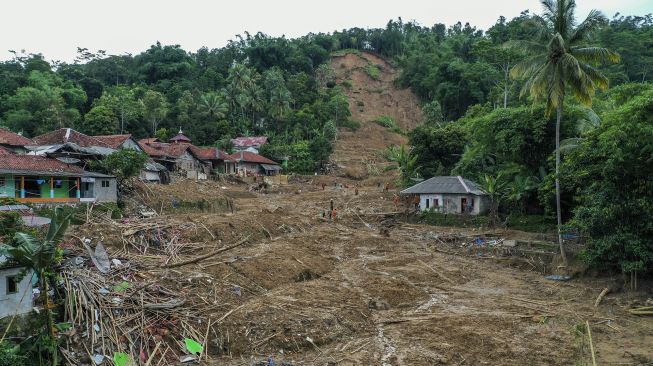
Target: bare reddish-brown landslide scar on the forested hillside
368 82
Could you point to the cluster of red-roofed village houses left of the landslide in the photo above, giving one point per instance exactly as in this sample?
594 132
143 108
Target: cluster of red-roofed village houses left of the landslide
53 168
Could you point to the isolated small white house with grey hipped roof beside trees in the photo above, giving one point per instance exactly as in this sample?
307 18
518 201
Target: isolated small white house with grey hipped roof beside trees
448 194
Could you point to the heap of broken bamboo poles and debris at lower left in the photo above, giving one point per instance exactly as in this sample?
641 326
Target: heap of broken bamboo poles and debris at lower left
138 307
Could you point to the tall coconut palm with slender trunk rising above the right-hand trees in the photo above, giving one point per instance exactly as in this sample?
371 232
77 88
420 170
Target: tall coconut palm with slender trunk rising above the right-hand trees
561 62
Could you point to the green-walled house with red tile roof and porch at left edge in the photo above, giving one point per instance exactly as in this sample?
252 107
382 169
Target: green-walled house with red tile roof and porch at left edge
38 179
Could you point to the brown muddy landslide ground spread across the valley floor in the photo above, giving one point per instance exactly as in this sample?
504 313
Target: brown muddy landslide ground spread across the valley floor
308 291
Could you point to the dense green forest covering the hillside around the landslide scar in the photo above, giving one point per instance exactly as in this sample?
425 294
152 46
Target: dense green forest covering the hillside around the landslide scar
491 99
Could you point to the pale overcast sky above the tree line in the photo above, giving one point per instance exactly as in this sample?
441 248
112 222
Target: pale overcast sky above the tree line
57 28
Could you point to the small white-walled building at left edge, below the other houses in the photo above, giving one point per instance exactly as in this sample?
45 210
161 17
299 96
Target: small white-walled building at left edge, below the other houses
15 293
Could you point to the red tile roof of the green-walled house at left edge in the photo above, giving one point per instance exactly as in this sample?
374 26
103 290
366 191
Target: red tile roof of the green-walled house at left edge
35 164
